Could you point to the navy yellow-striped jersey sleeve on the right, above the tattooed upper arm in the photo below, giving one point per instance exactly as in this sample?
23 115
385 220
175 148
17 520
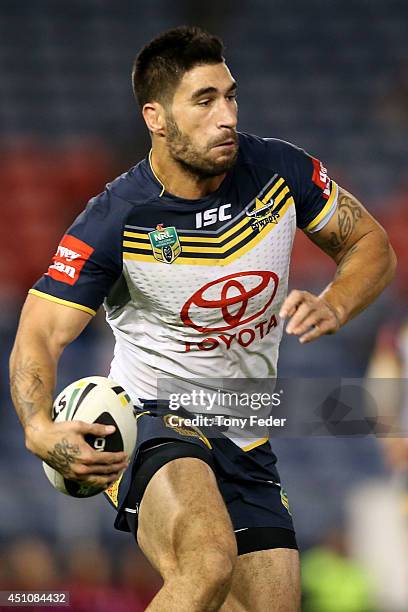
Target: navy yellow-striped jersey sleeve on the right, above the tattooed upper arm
315 194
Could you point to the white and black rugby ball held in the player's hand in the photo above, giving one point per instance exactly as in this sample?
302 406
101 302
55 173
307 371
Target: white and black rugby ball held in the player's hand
95 399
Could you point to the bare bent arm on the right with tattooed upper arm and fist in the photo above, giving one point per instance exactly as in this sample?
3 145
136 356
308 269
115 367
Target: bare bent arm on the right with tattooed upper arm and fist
366 264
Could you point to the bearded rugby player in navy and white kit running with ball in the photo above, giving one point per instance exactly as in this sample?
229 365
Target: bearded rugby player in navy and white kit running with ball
189 251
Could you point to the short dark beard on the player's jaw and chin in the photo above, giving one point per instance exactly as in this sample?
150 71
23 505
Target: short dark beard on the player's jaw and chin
196 161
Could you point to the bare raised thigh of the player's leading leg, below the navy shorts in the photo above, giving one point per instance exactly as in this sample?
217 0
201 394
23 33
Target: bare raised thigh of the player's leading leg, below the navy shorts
183 519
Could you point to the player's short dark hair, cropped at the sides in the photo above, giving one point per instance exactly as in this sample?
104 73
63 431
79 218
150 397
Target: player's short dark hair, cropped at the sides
162 63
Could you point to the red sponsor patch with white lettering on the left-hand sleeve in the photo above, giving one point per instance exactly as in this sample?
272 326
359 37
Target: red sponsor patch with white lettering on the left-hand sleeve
69 259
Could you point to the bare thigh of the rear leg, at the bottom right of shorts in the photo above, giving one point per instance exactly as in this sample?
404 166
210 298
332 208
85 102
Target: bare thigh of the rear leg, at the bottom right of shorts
265 580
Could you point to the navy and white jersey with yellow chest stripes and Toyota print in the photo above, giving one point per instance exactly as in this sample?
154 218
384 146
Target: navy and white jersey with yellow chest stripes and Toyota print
193 288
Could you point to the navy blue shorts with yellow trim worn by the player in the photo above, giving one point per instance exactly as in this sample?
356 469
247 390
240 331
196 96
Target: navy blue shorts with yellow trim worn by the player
247 479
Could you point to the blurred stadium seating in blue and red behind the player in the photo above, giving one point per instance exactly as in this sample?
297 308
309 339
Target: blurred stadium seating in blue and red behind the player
328 75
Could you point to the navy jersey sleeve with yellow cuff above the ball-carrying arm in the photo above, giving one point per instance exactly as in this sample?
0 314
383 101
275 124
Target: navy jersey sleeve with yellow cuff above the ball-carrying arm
88 259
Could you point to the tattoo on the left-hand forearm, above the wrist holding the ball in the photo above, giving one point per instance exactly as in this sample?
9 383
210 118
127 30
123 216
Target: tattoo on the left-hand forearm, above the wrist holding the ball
28 390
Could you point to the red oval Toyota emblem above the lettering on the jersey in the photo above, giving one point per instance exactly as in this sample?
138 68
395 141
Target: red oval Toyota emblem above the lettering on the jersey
230 295
